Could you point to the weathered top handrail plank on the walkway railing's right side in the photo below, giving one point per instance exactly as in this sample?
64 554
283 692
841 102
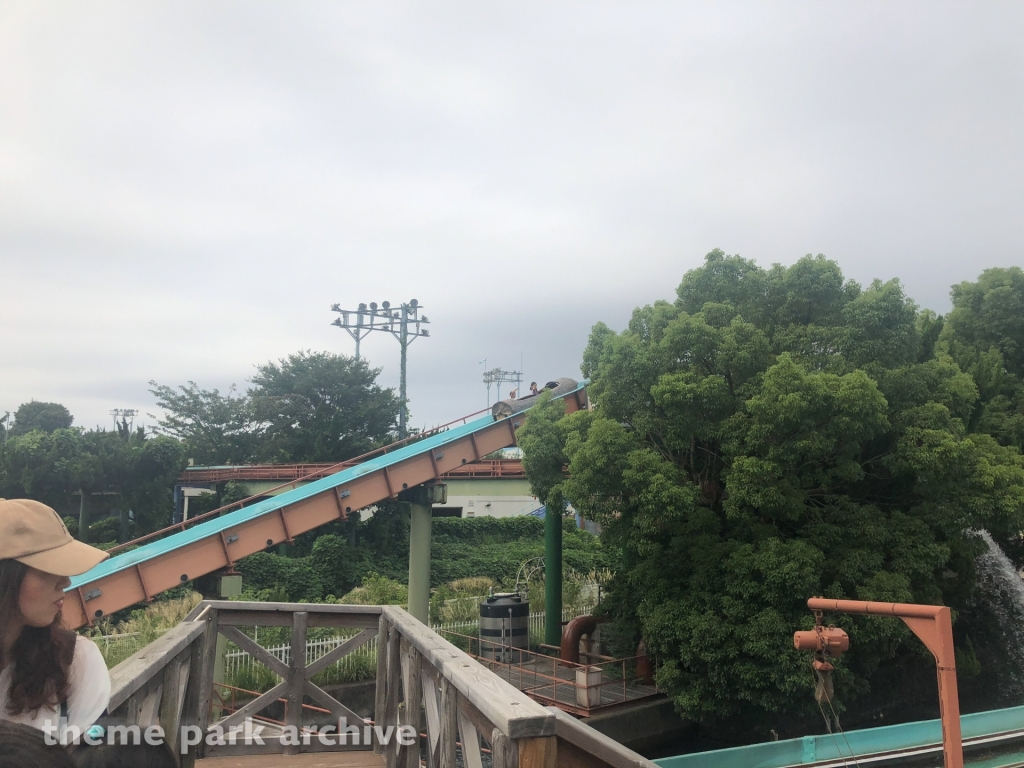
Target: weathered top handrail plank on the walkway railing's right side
505 707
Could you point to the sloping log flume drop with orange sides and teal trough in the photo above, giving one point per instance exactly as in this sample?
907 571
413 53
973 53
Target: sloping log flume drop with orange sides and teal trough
217 541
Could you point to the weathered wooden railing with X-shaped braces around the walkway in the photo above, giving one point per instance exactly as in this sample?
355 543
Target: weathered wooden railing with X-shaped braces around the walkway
454 709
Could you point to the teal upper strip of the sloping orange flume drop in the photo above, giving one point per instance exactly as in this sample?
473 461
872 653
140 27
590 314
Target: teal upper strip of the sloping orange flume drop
225 523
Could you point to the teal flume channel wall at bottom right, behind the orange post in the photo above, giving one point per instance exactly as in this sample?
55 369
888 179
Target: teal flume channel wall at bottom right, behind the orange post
797 752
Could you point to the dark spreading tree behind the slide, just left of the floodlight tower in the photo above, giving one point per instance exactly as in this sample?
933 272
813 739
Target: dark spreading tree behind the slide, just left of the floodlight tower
320 407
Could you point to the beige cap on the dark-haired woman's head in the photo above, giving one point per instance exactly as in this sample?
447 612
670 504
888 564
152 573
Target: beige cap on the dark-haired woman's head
34 534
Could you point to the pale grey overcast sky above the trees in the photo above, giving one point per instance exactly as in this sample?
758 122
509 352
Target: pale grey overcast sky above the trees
187 188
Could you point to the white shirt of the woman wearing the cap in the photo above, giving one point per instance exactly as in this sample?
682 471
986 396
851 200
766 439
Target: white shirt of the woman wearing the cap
89 693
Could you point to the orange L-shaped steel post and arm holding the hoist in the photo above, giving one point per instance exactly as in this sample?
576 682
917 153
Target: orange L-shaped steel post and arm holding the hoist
933 626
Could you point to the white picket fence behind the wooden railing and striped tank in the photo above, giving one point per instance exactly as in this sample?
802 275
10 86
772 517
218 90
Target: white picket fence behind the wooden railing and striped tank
365 658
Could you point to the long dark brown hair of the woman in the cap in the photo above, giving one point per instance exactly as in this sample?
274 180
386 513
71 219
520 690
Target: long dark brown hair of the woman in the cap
41 657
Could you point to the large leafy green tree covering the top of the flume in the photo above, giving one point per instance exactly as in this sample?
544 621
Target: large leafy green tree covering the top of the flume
772 436
